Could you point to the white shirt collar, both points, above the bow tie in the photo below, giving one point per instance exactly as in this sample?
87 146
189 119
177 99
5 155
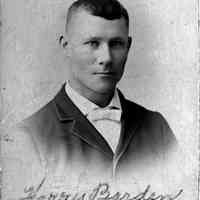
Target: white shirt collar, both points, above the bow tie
85 105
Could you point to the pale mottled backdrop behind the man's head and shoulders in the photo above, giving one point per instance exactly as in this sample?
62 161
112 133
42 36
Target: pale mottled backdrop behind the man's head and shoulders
161 72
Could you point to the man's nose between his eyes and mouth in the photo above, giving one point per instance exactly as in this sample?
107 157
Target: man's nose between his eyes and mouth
104 55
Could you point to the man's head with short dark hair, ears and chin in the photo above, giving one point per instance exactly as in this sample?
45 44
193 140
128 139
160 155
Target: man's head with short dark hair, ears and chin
97 45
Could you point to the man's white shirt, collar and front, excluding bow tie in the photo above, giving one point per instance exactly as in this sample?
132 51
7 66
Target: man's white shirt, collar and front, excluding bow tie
109 129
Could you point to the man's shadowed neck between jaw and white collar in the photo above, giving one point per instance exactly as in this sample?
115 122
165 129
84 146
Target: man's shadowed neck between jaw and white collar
100 99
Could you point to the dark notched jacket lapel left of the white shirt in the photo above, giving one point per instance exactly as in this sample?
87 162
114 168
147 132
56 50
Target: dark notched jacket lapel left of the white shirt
73 121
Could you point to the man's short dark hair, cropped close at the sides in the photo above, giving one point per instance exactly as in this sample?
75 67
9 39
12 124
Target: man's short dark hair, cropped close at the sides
108 9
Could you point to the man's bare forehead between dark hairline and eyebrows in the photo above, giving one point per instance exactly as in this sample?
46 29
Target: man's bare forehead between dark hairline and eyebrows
84 24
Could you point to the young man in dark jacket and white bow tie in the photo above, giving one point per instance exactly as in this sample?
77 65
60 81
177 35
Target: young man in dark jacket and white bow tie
89 129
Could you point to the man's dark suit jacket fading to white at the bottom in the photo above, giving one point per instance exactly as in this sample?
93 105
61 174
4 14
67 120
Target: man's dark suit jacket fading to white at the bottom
59 131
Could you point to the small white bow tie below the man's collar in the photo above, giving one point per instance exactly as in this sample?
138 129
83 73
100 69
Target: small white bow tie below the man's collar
110 113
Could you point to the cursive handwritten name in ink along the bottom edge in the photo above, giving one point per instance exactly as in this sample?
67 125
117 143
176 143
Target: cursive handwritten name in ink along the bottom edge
101 192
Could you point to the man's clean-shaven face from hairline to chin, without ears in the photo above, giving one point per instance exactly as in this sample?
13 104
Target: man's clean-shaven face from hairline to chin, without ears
97 50
